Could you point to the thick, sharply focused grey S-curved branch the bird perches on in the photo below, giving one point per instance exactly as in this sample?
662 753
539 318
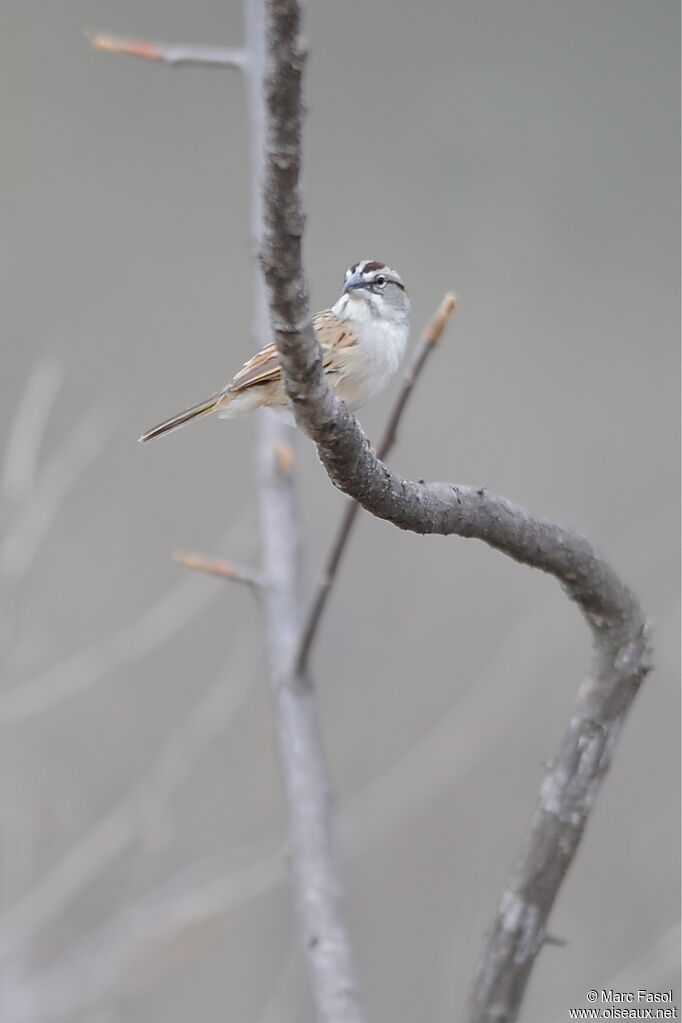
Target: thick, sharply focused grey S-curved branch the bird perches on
618 624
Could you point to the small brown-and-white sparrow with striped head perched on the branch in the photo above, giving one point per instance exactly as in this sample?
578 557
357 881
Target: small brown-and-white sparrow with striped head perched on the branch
362 337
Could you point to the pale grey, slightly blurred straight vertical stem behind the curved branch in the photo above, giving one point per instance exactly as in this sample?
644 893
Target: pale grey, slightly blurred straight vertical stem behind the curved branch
305 778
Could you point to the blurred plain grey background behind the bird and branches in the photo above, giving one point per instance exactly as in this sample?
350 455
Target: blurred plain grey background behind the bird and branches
523 154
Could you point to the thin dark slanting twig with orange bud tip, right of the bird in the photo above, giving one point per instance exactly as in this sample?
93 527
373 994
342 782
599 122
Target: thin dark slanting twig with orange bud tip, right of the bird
430 339
